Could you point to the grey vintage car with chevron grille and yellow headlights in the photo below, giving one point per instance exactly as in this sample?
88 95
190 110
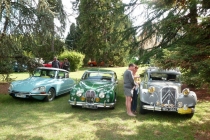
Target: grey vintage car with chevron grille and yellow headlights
160 90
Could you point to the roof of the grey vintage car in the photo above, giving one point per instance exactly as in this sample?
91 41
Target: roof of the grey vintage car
159 70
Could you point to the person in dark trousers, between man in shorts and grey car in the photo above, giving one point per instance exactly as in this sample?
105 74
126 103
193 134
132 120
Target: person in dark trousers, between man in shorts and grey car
135 90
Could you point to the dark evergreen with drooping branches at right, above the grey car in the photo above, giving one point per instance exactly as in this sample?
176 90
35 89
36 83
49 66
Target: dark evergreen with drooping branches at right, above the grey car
180 31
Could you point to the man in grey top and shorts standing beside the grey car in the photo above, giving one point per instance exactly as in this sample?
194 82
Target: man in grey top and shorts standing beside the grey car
128 88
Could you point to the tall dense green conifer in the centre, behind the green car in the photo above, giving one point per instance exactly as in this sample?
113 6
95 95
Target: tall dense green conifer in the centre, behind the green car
103 30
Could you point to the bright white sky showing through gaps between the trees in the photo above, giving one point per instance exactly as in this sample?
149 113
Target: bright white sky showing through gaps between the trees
136 18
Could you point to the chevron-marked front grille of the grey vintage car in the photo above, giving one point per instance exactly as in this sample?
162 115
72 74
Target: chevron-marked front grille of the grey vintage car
169 95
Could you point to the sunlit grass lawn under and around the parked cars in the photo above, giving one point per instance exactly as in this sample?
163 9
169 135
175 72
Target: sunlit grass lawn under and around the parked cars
23 119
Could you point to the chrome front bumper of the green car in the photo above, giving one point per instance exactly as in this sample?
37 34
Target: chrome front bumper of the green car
92 105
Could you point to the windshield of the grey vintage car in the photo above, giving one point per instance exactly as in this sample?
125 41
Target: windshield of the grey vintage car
164 77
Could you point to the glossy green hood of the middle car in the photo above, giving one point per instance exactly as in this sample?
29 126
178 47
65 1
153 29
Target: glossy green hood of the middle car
90 84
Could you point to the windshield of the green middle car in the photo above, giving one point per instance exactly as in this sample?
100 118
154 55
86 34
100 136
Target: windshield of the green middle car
98 76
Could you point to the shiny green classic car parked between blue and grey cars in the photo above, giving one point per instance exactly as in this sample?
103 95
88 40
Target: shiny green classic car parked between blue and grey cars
97 88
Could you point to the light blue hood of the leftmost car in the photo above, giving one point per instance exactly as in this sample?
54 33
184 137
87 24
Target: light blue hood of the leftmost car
29 84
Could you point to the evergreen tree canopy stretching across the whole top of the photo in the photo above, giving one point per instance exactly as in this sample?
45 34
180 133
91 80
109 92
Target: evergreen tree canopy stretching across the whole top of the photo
176 33
